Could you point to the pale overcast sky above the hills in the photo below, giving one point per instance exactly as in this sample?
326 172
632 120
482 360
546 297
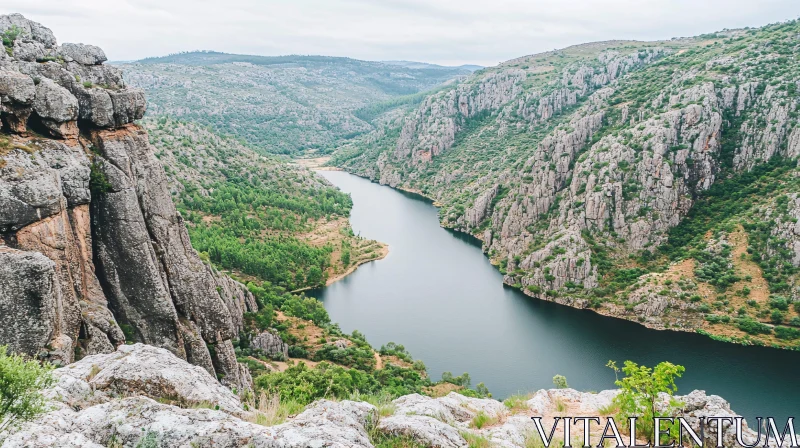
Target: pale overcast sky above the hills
450 32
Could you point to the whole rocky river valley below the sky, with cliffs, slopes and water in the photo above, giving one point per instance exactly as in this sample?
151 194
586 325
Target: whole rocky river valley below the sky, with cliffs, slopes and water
214 249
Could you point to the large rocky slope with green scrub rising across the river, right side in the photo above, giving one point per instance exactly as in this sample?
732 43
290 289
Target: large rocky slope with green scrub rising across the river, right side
594 174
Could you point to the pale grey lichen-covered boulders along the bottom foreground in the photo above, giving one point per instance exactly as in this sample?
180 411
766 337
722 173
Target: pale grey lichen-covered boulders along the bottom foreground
144 392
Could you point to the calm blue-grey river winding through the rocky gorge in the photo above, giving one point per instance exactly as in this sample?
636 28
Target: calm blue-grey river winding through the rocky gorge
437 294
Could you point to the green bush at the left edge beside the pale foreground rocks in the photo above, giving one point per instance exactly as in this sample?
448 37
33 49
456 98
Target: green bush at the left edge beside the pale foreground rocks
21 383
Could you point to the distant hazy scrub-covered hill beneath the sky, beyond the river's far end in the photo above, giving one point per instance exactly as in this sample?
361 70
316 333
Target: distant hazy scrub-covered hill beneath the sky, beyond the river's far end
284 104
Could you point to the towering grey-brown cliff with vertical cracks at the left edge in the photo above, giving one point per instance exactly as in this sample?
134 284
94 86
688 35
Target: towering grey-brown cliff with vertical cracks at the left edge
93 252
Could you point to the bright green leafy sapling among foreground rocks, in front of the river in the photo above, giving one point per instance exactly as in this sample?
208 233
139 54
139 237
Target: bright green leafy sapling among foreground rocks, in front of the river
641 387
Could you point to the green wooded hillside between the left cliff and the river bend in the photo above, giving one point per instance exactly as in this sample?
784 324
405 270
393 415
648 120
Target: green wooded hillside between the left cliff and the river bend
257 215
